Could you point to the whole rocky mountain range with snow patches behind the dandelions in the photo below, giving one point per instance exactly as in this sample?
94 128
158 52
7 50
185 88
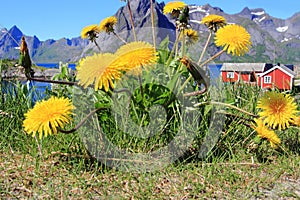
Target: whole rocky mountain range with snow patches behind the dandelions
273 39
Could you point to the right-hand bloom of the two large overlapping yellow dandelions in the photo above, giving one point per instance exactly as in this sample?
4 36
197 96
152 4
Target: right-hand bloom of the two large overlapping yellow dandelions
135 55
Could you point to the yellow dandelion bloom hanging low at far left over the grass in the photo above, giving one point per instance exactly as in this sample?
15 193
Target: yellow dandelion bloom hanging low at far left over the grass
47 116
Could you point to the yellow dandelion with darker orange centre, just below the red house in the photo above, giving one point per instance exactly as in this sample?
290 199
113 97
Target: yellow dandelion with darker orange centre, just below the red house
277 109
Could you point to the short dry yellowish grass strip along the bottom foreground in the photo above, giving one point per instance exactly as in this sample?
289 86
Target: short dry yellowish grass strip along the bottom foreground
23 176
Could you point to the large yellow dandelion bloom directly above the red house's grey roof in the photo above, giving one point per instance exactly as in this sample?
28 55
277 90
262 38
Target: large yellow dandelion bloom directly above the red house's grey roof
234 38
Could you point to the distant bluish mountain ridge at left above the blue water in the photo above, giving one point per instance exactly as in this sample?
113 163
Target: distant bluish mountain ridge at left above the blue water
65 50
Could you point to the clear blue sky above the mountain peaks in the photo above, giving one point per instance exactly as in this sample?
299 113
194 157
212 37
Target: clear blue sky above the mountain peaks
56 19
